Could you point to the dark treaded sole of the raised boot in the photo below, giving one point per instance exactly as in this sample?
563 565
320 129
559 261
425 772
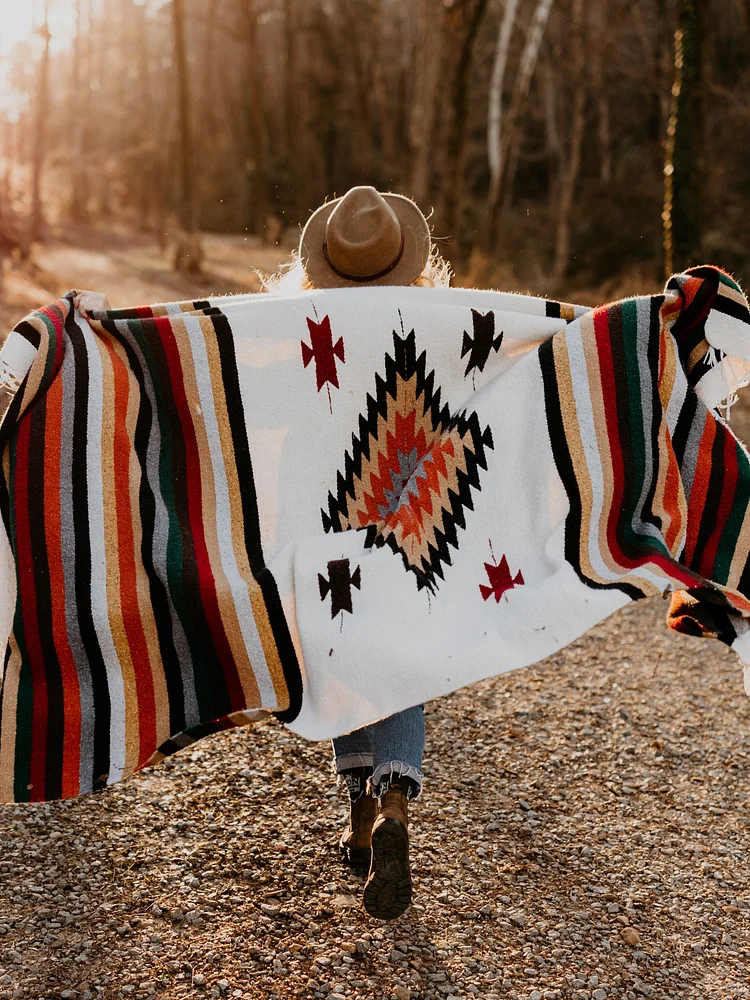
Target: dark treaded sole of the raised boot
388 890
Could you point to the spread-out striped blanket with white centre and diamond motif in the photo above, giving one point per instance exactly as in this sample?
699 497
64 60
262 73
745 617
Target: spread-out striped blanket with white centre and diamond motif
335 505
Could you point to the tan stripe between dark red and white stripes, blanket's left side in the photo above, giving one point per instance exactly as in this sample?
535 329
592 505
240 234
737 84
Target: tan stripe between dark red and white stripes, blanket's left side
225 600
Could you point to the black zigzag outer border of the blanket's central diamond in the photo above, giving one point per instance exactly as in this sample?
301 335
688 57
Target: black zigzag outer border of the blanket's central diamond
405 365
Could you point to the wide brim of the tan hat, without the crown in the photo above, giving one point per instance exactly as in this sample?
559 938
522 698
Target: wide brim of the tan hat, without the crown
413 260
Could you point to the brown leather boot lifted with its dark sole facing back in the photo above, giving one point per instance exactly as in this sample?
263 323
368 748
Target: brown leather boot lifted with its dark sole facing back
388 888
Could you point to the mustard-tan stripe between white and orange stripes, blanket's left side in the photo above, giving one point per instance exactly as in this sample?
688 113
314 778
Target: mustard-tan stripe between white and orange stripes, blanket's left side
112 562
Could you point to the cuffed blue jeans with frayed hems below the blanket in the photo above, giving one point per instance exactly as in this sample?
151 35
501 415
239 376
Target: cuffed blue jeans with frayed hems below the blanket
393 746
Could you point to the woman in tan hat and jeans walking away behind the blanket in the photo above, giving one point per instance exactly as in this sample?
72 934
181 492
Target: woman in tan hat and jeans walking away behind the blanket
362 239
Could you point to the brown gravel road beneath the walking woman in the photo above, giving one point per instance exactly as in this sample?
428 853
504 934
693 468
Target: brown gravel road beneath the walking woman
584 833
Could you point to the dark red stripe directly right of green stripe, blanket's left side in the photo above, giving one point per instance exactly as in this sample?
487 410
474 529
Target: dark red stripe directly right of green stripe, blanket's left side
206 580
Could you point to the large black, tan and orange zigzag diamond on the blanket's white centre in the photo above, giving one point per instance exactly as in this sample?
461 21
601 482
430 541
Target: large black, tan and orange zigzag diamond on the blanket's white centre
411 471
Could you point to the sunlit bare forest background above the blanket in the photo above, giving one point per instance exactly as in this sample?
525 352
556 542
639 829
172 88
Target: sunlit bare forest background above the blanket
577 148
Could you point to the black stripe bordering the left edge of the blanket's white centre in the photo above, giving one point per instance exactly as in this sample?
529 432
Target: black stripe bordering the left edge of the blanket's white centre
277 618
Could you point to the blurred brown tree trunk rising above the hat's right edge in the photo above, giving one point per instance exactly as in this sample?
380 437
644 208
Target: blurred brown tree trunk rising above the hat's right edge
424 108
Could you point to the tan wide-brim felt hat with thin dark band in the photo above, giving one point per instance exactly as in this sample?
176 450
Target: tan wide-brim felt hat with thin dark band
365 238
